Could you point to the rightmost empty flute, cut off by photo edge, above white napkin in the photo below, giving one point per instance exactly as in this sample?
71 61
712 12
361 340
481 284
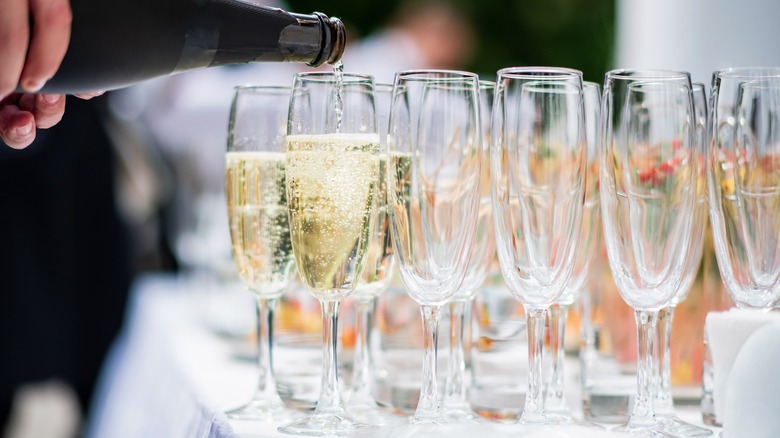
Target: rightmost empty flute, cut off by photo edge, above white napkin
744 183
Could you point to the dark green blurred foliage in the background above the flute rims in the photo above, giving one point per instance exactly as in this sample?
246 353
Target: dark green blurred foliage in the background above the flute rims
566 33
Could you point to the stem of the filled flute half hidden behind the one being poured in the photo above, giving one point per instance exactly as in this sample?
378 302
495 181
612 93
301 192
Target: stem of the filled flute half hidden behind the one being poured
361 371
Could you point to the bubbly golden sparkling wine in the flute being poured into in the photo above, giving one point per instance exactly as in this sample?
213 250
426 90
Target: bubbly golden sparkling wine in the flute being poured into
331 185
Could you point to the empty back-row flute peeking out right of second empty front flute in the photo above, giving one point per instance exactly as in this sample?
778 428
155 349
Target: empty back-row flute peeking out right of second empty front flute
555 406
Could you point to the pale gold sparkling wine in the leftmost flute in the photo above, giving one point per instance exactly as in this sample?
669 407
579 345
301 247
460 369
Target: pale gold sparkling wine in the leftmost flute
257 209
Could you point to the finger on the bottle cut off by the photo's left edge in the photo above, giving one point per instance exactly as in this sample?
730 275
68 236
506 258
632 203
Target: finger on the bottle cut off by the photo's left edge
14 37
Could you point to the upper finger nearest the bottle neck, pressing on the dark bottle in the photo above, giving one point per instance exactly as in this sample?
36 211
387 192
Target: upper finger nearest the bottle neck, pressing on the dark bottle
49 42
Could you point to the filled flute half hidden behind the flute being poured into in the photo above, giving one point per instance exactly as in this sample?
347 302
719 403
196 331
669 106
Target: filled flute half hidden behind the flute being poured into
377 274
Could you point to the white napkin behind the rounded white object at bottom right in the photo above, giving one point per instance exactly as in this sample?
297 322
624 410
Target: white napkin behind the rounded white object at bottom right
726 332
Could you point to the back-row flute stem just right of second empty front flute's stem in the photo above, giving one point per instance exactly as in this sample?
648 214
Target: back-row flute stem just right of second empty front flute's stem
554 400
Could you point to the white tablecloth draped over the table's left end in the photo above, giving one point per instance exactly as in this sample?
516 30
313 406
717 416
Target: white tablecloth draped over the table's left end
166 376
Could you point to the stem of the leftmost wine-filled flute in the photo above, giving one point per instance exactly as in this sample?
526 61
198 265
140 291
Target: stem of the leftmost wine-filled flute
266 385
